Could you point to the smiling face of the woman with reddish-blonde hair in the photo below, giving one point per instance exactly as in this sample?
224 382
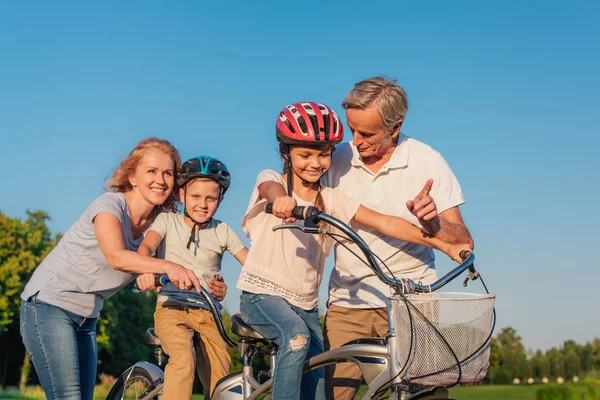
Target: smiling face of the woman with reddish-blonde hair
154 176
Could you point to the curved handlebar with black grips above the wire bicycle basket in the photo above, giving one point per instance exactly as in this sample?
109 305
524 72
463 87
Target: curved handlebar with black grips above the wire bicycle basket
313 215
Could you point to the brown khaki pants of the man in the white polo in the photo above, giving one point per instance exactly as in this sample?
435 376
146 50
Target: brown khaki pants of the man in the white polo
341 326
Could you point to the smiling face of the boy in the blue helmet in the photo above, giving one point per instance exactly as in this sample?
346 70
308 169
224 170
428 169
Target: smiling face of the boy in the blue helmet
201 198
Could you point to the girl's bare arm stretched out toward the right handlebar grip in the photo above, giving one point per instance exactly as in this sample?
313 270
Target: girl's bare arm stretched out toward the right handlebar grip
401 229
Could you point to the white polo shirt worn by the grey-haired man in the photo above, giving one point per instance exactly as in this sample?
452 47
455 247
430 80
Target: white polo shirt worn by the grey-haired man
353 284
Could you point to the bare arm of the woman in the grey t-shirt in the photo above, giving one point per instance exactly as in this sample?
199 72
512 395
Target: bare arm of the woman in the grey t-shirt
109 234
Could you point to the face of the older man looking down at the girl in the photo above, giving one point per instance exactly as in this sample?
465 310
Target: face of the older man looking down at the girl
369 134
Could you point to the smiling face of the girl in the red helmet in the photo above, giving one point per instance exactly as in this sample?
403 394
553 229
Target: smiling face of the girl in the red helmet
311 162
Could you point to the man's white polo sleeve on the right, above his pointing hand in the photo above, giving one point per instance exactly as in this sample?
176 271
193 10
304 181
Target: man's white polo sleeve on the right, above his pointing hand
446 190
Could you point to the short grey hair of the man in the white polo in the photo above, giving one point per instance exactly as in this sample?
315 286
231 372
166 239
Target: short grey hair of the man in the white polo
385 94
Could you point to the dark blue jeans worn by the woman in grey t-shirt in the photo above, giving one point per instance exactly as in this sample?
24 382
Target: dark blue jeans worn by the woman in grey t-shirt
63 349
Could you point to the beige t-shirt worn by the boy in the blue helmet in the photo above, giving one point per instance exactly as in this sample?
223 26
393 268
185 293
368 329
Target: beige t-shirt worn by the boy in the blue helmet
205 253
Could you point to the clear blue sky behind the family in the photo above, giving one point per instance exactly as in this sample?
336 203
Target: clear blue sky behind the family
508 93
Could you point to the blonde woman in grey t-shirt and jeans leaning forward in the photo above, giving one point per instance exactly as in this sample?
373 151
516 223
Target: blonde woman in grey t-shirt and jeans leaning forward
95 259
